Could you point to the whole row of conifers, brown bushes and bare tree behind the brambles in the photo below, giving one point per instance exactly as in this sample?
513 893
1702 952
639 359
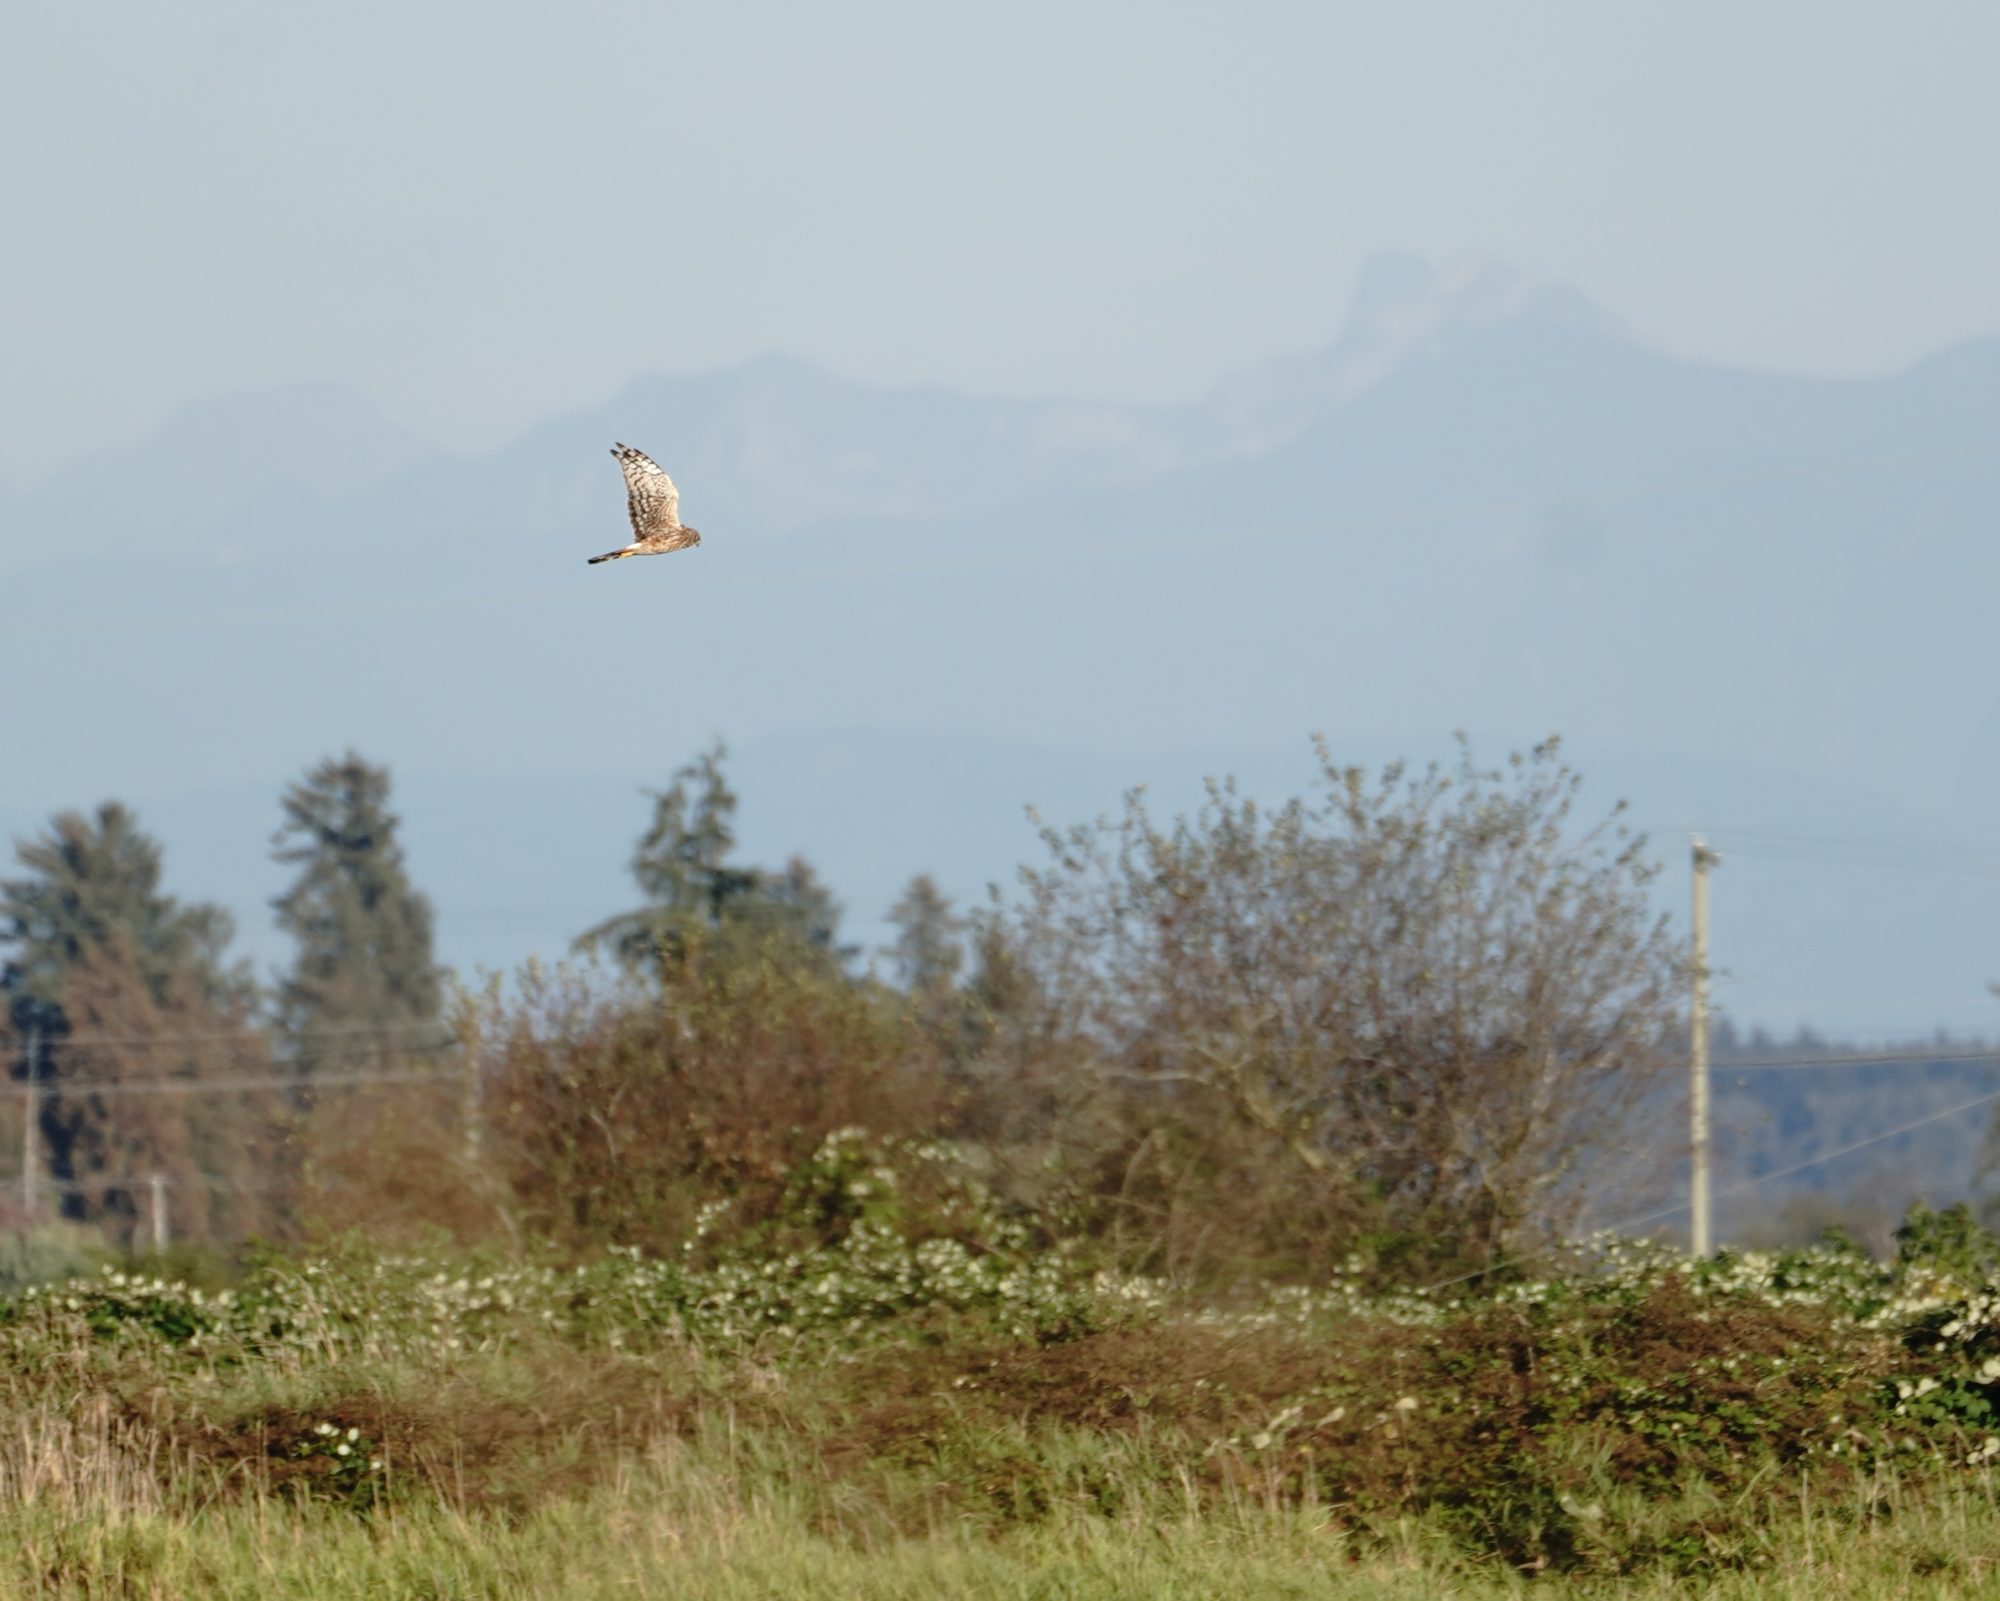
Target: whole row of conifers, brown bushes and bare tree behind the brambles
1407 1020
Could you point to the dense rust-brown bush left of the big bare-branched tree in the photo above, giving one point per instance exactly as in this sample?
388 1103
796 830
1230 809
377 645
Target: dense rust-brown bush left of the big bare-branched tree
619 1120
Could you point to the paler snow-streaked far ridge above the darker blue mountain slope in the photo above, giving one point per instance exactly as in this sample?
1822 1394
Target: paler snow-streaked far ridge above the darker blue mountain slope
777 443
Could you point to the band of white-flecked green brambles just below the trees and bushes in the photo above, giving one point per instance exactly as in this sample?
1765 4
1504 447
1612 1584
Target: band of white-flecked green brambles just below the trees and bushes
879 1282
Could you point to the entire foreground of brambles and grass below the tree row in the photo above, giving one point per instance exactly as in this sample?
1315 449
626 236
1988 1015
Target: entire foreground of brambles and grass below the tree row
971 1408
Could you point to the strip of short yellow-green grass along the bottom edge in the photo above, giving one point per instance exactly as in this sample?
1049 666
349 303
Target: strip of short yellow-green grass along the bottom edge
661 1534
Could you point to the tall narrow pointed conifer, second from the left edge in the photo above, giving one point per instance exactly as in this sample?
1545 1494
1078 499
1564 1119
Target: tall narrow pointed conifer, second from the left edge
365 936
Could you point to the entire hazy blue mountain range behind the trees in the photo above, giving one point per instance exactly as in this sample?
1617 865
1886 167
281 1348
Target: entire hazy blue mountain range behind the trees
1747 601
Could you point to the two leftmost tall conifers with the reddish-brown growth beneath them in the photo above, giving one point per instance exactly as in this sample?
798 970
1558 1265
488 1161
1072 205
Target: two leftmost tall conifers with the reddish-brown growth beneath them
127 1016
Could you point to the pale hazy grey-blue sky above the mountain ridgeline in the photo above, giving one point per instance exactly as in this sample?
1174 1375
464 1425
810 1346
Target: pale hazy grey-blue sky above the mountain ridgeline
481 215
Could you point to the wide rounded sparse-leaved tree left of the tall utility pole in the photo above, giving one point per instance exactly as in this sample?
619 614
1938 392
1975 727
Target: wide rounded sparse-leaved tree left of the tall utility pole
1431 994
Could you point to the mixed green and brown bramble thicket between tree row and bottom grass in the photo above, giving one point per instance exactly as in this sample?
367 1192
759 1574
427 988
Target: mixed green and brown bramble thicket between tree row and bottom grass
931 1358
